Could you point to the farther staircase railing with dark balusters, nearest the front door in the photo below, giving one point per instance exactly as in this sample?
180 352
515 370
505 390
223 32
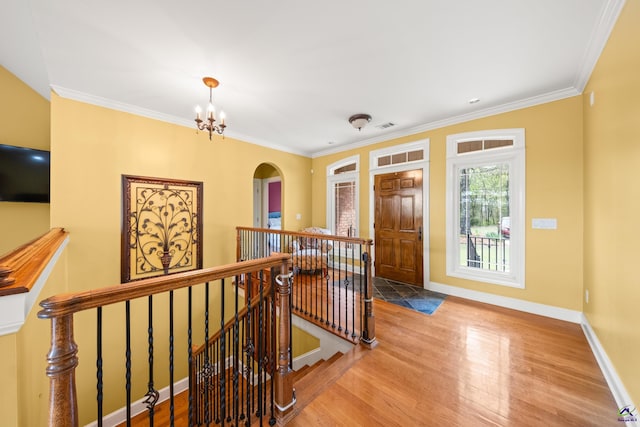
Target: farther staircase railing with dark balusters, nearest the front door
332 282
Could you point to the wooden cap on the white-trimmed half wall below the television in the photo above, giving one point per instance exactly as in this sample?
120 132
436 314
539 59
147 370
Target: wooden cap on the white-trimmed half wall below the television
20 269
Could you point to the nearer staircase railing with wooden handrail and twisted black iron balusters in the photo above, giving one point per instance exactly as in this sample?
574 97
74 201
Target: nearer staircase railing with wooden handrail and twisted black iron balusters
206 371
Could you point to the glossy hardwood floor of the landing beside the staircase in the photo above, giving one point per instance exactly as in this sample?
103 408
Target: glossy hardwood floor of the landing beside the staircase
469 364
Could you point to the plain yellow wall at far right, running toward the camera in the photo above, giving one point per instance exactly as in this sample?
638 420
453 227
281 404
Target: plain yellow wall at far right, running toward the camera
612 202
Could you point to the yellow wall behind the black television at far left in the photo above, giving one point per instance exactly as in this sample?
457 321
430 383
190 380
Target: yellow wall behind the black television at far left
24 121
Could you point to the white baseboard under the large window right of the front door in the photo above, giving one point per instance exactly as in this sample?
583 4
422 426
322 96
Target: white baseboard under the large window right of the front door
559 313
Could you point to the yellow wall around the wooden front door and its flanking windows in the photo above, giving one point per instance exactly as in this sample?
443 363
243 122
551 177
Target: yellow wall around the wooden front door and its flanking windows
553 190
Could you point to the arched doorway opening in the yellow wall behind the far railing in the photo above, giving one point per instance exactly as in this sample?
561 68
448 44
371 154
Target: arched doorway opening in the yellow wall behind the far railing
267 197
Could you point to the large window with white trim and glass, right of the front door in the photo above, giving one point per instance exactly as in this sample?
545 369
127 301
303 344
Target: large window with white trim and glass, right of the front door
485 206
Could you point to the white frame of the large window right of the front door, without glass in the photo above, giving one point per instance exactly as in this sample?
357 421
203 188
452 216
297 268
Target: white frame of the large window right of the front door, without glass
514 156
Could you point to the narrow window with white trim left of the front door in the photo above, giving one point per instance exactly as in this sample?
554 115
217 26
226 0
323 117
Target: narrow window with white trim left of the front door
343 197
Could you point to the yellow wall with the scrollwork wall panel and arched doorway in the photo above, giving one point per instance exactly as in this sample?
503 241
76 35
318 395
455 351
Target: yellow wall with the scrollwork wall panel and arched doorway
91 148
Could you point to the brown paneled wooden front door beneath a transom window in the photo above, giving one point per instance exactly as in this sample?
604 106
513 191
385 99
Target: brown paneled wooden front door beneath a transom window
398 226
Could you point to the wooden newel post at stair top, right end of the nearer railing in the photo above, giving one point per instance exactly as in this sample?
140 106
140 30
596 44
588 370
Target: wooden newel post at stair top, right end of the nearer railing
285 398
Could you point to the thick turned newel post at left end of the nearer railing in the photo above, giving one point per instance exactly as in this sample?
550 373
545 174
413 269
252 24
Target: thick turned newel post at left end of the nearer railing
63 403
